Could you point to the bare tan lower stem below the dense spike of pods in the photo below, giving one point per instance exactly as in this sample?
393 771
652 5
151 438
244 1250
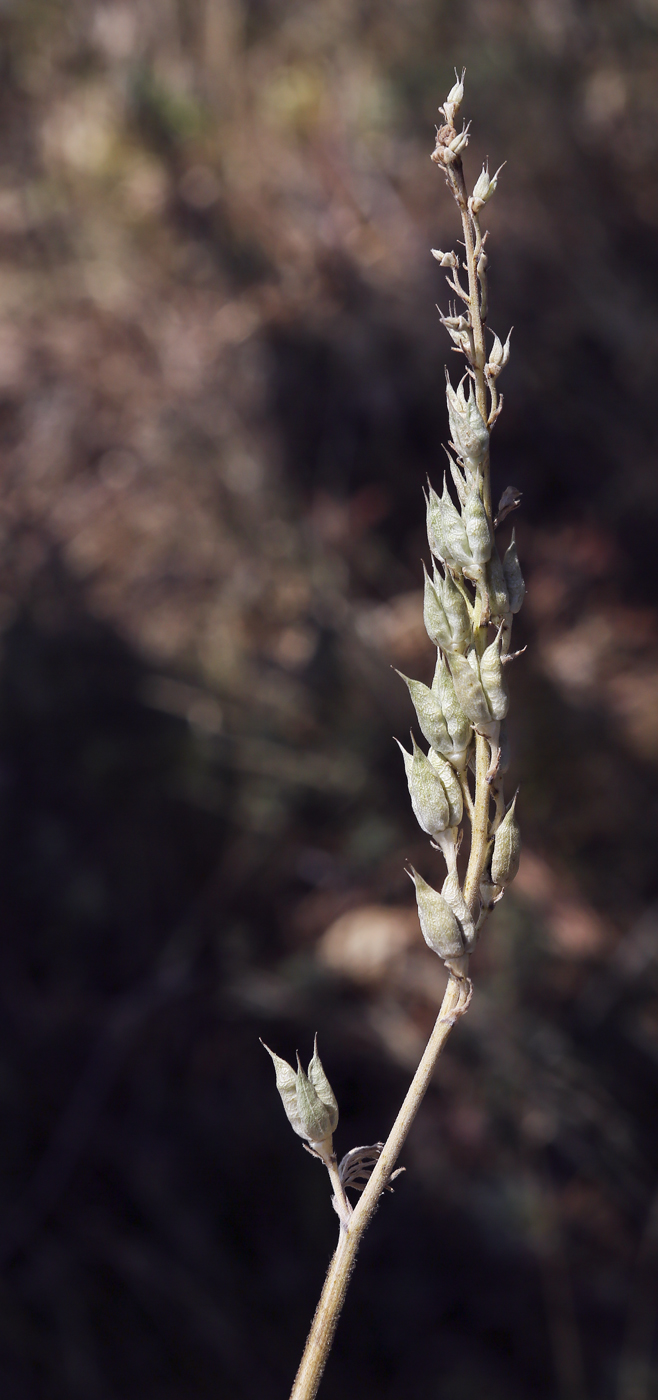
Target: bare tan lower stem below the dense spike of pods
328 1312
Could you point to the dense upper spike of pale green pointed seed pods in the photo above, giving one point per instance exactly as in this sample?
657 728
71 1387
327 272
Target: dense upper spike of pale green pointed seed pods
470 604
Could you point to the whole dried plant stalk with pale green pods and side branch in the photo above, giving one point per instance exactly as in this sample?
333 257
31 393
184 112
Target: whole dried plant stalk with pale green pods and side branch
470 605
